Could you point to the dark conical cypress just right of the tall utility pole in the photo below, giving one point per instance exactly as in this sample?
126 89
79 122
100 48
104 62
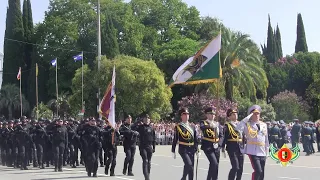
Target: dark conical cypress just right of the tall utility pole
110 40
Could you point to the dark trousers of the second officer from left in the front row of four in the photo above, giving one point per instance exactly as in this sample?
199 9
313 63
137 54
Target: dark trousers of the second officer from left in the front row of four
213 156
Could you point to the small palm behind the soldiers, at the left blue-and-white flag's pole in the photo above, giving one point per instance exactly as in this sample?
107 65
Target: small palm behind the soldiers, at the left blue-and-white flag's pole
62 104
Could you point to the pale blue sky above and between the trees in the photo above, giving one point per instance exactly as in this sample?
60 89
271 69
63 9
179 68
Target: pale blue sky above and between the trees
247 16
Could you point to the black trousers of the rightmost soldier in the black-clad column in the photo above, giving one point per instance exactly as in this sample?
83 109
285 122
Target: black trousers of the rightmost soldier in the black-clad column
146 154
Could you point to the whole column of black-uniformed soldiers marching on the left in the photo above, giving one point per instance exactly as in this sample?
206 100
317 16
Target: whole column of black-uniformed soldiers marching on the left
58 143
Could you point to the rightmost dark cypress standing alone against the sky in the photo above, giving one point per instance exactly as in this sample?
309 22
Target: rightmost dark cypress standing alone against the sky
301 43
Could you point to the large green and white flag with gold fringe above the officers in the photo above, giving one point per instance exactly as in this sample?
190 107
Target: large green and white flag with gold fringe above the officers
203 67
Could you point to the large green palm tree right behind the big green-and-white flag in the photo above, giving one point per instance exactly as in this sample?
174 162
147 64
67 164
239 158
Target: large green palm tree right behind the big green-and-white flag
241 63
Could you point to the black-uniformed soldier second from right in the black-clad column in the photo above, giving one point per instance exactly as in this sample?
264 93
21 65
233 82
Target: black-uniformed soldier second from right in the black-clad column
129 144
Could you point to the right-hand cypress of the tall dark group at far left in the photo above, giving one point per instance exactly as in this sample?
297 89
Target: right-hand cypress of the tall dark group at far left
28 48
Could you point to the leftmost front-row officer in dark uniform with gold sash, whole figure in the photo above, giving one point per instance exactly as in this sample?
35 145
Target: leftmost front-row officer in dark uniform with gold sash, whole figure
186 137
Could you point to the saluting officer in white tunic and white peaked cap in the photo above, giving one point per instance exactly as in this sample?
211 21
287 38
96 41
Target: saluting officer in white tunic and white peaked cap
257 144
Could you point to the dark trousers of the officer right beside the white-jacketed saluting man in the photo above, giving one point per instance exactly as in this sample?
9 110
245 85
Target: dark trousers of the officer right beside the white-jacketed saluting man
236 159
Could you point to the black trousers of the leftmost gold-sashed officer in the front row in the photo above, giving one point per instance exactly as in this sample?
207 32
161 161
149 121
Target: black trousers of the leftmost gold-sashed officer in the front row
188 160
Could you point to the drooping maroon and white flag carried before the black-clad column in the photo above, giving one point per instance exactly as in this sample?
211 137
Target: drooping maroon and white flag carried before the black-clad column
107 105
